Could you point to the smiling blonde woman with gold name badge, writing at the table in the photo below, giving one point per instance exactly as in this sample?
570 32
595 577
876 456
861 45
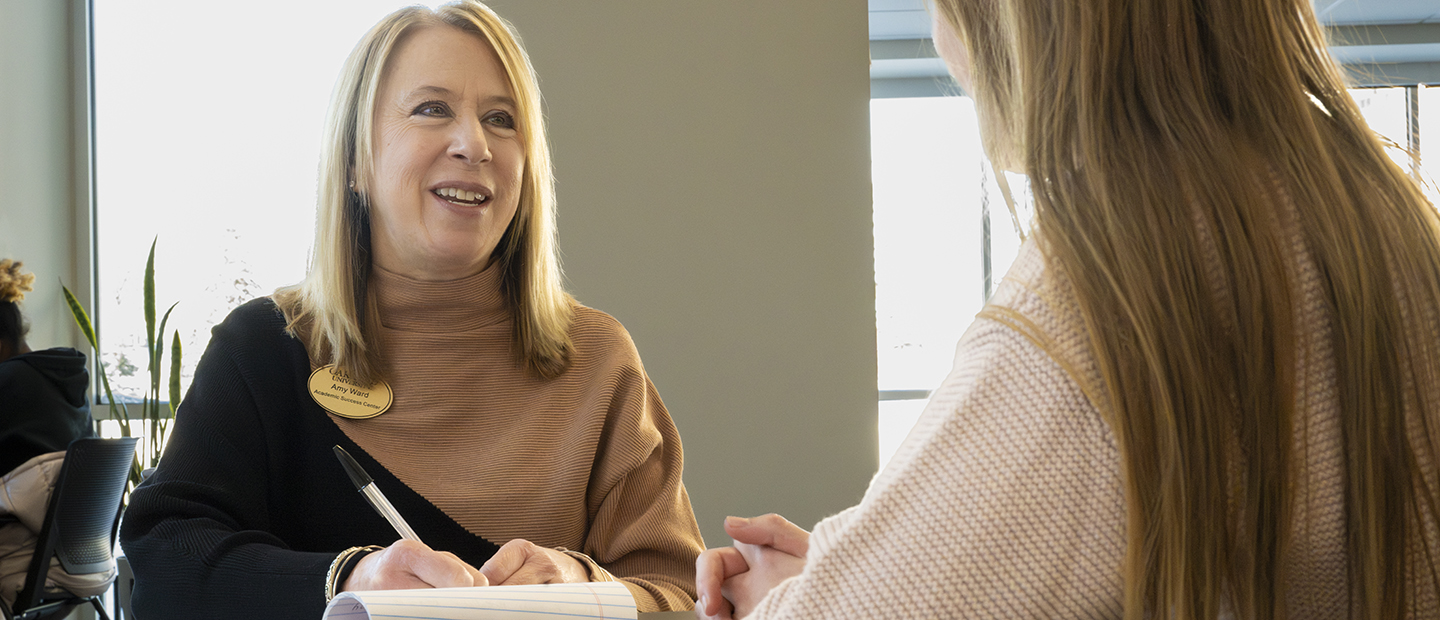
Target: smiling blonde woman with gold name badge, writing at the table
513 429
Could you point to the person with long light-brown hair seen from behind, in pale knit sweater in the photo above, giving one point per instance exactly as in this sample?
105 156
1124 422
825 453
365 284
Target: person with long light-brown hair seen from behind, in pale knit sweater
1210 385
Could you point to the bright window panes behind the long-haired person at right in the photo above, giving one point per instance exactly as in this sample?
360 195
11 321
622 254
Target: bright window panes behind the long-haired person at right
942 229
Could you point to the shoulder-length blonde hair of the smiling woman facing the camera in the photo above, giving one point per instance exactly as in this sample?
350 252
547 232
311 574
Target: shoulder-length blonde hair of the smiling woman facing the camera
333 311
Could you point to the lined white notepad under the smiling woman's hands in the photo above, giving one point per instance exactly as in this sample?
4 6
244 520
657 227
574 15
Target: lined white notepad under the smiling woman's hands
551 602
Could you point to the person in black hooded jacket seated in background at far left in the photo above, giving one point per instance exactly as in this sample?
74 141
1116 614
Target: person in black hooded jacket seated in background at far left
42 411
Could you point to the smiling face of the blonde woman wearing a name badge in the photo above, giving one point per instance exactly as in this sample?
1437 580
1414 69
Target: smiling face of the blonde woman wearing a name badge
447 156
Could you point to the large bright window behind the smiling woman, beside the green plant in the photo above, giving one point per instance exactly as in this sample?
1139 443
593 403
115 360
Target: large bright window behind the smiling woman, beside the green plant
208 139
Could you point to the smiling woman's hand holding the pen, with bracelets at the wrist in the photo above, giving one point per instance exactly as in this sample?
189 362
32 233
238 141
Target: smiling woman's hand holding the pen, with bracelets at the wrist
410 565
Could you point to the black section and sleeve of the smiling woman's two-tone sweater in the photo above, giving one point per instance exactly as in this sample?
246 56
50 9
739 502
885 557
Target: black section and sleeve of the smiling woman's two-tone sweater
250 506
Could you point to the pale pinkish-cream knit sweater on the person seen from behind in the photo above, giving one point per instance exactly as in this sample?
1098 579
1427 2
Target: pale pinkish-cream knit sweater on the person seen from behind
1007 497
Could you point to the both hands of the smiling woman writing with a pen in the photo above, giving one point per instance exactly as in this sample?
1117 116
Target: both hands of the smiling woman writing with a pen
411 565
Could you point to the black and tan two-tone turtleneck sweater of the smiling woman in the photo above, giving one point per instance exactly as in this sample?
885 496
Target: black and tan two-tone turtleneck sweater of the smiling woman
250 506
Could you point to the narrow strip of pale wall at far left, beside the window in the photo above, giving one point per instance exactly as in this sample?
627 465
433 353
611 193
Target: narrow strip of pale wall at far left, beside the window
38 222
